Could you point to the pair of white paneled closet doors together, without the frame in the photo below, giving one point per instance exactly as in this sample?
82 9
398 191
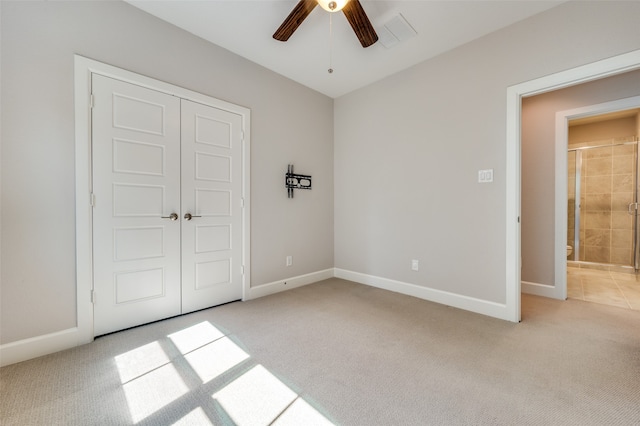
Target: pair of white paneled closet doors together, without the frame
167 217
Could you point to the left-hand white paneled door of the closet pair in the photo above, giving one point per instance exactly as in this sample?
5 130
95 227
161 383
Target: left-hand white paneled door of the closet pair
136 175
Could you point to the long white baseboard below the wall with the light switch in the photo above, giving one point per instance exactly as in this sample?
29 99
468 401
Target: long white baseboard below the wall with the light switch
484 307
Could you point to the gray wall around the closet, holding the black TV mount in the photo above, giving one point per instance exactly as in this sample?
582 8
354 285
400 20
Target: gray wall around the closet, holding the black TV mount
39 40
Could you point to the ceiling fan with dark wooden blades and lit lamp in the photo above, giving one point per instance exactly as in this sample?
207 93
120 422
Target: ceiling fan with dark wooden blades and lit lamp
352 10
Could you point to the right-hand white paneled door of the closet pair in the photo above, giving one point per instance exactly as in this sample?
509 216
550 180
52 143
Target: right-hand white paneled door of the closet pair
211 194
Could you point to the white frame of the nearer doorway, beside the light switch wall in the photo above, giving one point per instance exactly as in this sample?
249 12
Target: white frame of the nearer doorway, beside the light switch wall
593 71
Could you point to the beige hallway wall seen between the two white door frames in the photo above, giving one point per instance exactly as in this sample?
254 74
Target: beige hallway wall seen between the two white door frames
538 165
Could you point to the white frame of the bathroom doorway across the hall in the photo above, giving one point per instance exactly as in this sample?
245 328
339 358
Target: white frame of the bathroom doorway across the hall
559 291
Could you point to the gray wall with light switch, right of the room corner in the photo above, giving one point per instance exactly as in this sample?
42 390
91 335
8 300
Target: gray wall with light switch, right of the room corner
408 150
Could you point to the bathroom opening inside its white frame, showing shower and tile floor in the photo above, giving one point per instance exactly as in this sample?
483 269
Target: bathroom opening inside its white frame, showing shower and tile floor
603 245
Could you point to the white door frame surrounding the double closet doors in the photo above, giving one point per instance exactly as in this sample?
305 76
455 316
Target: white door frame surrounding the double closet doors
84 67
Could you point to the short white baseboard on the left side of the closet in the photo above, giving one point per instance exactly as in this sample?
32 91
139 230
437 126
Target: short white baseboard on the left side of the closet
33 347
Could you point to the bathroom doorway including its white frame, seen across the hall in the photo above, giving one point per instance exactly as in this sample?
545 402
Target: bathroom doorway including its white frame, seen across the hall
602 223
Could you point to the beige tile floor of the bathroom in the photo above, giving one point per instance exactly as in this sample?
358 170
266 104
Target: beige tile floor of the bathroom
606 287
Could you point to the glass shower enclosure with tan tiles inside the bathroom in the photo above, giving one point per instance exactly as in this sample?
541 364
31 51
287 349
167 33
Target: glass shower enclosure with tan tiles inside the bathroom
602 204
